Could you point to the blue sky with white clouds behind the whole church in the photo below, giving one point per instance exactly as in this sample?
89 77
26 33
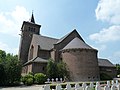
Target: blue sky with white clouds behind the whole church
97 21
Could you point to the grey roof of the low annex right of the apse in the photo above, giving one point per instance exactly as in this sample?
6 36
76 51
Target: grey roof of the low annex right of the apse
105 63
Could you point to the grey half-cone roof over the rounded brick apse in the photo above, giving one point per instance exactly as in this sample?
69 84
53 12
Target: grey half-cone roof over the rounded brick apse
77 43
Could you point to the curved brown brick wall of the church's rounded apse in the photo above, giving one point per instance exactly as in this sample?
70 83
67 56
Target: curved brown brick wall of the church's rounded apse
82 64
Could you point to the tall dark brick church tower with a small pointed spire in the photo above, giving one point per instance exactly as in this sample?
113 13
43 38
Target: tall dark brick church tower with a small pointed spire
27 30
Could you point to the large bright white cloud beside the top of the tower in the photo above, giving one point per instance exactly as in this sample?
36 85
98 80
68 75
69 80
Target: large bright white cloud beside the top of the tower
10 22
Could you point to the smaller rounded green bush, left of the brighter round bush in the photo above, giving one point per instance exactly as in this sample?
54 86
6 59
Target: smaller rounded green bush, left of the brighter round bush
28 79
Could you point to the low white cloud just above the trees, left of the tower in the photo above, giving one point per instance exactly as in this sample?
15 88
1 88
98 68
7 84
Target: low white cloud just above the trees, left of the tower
8 49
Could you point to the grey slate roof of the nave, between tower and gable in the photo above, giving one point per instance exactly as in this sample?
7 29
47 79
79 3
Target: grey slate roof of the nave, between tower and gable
45 43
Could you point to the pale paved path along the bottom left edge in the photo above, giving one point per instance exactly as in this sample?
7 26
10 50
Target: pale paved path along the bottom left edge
34 87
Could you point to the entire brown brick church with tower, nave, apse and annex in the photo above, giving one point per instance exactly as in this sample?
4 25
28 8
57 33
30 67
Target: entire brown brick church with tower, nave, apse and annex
81 59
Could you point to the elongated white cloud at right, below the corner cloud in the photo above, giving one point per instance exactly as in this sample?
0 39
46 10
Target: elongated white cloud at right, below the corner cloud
107 35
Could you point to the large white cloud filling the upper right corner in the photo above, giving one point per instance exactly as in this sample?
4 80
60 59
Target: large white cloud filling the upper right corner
108 10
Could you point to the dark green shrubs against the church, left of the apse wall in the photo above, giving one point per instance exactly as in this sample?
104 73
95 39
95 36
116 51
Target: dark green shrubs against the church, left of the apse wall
56 70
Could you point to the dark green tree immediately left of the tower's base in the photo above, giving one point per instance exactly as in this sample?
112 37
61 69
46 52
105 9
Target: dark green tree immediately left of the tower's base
13 70
